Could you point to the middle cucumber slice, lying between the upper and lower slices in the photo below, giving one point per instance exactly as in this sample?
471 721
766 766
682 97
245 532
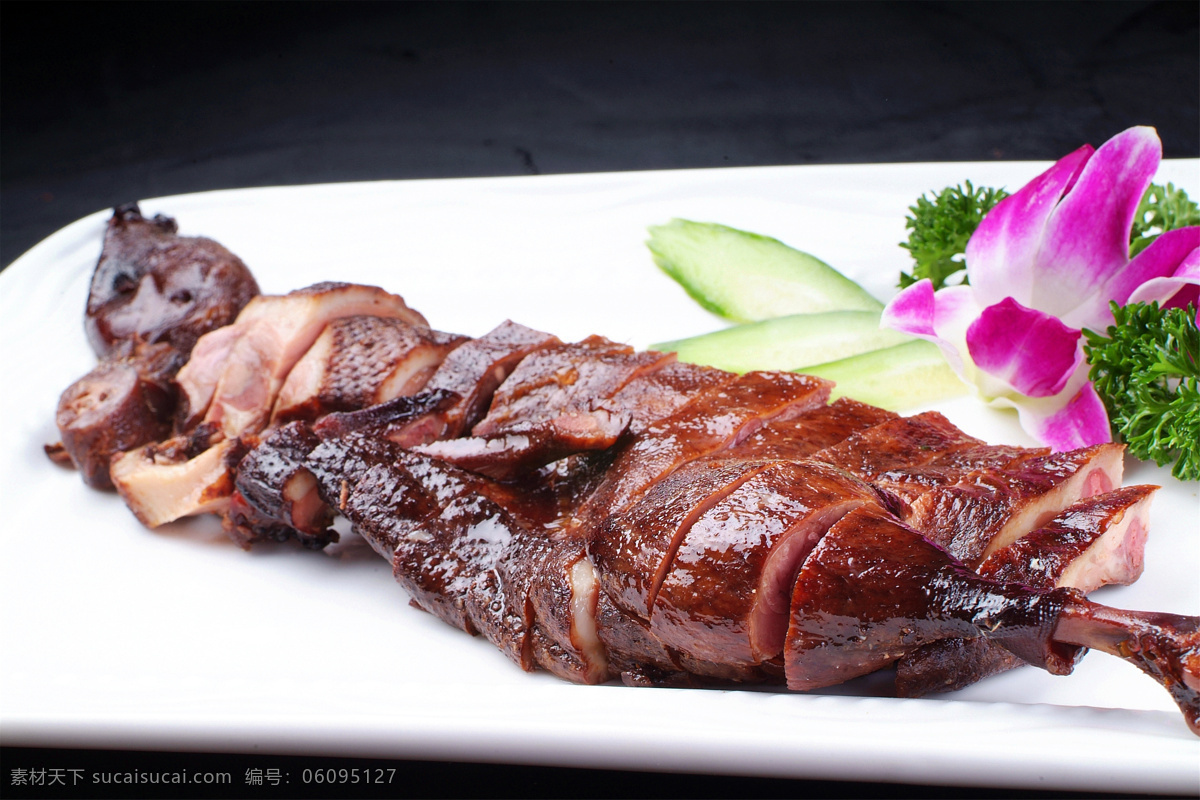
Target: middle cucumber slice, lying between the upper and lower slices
789 342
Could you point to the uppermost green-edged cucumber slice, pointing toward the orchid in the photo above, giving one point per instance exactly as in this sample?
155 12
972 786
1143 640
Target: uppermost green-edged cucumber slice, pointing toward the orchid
747 278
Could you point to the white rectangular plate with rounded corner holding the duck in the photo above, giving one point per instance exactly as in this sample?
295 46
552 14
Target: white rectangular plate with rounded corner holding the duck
117 636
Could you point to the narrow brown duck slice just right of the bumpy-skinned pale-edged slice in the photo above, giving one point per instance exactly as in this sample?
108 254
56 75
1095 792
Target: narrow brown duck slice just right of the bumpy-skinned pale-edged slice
477 369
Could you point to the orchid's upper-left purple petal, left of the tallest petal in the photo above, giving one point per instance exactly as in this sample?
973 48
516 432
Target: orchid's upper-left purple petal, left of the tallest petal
1003 254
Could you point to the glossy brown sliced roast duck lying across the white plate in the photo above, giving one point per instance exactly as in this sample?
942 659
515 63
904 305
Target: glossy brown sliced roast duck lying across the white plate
609 514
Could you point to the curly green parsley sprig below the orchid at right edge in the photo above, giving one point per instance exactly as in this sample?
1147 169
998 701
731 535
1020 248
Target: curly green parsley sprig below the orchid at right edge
1147 370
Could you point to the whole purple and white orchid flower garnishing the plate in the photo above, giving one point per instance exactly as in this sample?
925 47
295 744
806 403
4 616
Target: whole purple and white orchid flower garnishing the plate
1043 266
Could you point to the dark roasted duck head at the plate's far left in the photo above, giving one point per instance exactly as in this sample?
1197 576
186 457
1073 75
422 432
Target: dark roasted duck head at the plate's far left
154 286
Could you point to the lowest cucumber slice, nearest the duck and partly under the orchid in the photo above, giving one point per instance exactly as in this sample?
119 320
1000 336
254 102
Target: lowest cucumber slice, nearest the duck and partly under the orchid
896 378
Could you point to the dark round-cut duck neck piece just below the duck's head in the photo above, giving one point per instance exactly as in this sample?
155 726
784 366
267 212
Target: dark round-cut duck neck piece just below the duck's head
121 405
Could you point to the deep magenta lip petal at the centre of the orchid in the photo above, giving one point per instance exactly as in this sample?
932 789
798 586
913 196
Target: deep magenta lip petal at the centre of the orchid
1029 351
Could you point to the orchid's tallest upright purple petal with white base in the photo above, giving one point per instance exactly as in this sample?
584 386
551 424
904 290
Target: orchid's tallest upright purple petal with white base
1087 239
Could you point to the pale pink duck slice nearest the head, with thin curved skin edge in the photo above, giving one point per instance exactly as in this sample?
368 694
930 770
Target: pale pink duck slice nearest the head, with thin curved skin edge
274 334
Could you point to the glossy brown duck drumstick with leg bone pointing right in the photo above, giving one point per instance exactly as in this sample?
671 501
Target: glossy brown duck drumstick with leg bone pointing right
874 591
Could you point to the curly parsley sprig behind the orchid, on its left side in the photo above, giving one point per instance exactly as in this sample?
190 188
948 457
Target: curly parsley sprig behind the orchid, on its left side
940 230
